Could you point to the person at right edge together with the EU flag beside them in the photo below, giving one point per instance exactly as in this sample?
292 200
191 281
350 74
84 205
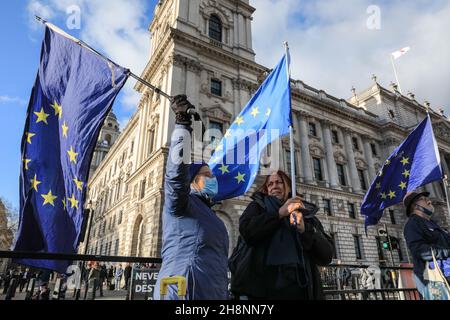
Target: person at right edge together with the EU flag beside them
415 163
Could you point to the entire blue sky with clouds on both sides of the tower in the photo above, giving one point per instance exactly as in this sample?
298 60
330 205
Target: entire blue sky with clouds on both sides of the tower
332 49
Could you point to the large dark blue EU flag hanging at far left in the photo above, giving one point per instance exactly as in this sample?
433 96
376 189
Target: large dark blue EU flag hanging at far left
73 94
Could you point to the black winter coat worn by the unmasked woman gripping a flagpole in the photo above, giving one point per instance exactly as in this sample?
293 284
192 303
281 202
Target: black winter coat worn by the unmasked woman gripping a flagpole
257 228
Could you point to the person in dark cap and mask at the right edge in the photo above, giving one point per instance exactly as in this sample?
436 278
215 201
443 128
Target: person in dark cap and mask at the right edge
422 234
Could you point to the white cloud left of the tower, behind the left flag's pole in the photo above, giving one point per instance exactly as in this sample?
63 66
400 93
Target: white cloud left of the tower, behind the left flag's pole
115 28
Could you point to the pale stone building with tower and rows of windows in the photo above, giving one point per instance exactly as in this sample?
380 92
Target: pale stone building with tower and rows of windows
203 48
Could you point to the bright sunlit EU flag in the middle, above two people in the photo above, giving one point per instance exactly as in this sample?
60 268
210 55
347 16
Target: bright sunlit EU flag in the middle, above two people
266 117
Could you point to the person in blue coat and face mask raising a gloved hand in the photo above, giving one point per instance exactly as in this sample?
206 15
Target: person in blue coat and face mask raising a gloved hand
195 240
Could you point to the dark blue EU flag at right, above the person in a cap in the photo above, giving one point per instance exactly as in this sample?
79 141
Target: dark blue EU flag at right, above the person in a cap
413 164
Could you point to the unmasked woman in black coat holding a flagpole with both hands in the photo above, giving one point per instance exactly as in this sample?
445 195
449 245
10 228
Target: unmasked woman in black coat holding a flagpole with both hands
283 247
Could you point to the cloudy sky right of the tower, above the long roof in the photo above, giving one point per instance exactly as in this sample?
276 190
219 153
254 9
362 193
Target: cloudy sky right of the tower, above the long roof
332 48
